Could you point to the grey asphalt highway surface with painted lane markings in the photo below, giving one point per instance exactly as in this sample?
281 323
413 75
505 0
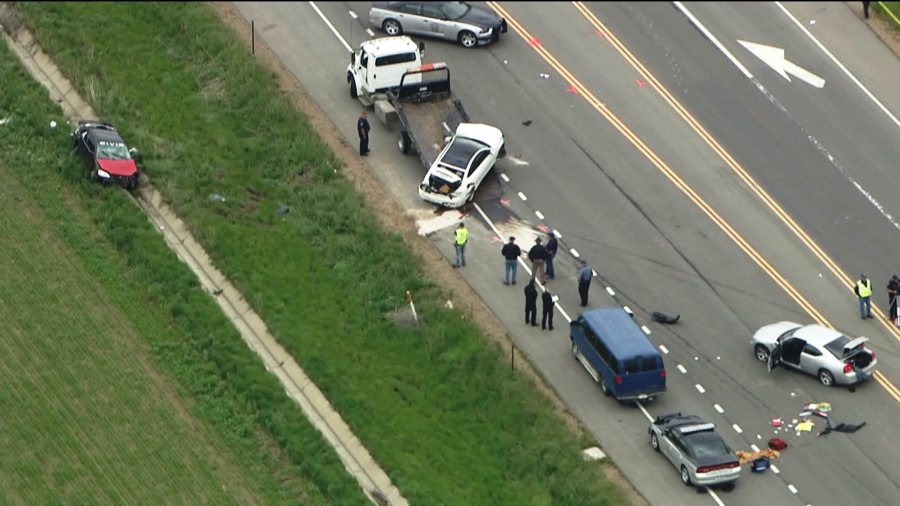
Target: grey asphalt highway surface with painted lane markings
690 187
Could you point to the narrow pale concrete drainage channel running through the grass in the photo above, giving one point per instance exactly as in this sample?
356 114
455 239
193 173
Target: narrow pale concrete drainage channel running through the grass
356 459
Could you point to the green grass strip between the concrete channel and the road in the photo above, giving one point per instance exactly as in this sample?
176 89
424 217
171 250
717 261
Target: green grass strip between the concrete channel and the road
435 405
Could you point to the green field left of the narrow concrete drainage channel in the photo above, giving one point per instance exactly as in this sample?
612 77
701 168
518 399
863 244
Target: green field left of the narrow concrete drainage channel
112 361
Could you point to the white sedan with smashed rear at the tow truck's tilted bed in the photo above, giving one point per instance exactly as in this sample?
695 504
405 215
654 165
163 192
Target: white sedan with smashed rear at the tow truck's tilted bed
461 166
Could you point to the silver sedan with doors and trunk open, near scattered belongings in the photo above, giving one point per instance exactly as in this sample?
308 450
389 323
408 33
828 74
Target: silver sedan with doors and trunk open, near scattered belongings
815 349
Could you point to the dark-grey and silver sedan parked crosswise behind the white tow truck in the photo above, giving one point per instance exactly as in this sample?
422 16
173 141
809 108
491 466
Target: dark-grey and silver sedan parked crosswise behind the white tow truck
469 25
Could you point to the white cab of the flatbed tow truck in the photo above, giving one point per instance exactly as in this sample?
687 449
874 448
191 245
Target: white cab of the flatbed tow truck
379 64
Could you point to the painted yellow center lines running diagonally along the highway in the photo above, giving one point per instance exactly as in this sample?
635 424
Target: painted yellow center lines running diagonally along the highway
679 183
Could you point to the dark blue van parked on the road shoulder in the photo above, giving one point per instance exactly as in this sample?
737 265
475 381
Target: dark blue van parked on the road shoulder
617 354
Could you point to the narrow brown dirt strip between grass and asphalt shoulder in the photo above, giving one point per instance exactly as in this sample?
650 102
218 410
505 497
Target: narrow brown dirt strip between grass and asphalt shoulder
393 218
